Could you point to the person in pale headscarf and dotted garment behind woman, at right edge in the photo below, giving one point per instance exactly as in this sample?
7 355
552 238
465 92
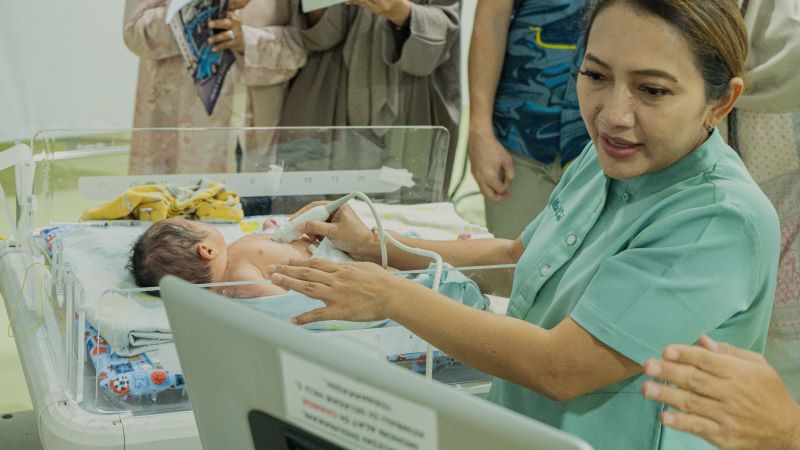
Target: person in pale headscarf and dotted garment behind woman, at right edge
765 129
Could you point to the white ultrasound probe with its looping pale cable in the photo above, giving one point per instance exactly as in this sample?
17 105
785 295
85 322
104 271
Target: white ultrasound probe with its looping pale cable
288 232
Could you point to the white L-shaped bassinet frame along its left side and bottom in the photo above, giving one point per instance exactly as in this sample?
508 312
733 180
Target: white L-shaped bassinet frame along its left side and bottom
63 423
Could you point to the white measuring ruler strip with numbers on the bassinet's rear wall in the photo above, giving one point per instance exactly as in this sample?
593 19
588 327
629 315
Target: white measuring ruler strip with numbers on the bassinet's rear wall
272 183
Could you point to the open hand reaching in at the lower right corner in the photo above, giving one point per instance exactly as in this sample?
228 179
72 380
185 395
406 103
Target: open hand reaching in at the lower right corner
730 397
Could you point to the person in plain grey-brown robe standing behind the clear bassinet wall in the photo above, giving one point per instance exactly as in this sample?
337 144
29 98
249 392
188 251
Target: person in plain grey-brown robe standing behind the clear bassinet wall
379 63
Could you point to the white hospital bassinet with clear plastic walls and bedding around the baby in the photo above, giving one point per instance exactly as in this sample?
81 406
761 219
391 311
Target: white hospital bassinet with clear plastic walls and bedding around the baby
97 351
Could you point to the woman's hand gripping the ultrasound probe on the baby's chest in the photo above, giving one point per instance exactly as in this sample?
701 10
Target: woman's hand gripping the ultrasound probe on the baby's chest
345 230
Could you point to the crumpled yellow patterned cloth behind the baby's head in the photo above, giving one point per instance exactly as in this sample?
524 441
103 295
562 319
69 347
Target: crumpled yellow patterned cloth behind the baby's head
207 200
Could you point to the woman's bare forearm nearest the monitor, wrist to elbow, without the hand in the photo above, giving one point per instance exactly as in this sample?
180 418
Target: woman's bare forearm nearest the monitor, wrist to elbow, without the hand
561 363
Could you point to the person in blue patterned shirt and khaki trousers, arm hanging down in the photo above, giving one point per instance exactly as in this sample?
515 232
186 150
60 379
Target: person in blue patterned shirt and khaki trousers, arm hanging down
525 126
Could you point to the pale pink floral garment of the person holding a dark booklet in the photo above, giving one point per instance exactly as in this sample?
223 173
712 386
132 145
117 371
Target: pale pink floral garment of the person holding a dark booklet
166 97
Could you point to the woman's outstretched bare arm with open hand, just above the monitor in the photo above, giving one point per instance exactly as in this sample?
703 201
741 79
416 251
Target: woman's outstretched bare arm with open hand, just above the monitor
561 363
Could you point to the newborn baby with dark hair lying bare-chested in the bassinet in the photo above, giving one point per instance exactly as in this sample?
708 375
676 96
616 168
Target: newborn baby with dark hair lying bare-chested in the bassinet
198 253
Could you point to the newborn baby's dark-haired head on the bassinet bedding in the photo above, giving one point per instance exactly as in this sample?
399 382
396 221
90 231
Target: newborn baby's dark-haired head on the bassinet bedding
178 247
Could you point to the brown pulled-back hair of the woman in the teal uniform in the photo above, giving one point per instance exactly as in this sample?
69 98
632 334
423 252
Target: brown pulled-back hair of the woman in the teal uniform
715 30
